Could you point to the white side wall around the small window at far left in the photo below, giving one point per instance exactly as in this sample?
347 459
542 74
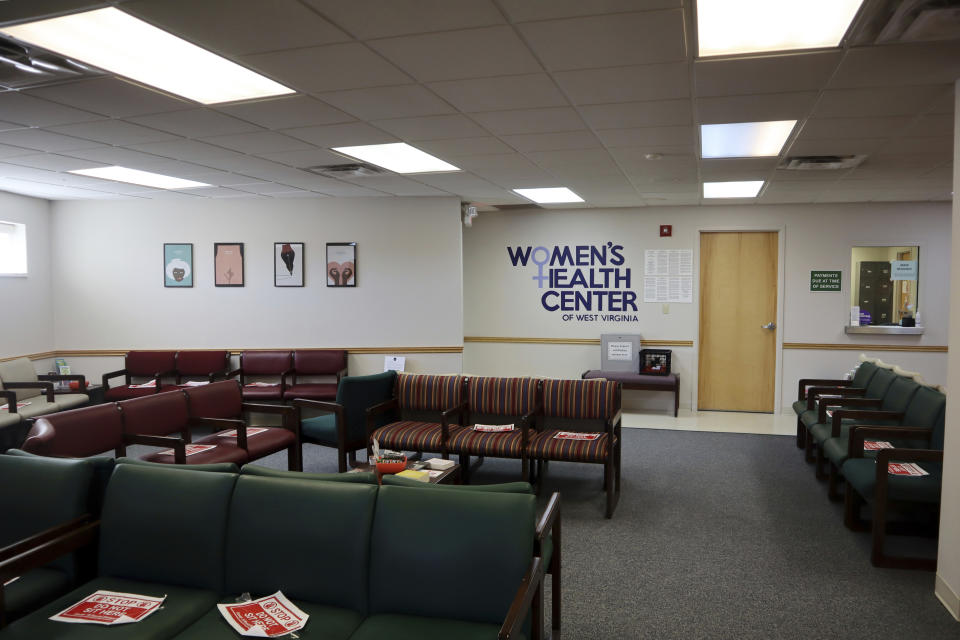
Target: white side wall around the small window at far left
26 309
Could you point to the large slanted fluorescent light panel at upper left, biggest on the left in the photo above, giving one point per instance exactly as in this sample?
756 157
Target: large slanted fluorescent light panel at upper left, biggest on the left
119 43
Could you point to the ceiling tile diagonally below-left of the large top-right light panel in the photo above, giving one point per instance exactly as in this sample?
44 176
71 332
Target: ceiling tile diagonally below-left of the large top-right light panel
626 84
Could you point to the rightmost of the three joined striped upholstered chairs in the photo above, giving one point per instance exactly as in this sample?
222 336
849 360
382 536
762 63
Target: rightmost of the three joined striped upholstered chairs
581 406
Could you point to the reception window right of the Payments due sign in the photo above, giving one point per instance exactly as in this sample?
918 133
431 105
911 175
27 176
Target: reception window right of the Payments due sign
884 283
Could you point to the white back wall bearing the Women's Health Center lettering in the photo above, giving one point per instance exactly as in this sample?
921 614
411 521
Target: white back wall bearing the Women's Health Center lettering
503 300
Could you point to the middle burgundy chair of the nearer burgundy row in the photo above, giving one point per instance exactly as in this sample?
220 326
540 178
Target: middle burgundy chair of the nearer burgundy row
162 420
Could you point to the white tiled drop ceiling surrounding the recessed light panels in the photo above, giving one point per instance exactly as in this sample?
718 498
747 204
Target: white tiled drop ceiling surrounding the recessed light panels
518 93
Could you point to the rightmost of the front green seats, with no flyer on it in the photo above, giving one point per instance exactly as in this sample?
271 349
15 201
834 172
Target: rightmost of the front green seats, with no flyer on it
487 537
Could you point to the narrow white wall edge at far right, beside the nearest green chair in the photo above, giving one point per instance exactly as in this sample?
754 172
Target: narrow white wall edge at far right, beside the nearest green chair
948 563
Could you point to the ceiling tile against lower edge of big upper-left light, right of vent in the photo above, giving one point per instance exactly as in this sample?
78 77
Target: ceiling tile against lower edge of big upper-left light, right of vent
111 97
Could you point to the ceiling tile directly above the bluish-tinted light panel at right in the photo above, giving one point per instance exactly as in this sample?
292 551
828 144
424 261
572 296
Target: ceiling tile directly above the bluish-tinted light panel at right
767 107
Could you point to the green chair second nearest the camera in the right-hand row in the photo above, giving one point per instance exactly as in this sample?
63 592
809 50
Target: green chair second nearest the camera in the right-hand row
925 409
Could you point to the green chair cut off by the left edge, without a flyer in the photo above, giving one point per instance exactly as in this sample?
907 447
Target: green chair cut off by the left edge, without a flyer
39 496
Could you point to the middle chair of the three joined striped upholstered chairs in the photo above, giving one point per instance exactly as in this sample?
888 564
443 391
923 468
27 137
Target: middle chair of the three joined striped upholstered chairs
496 401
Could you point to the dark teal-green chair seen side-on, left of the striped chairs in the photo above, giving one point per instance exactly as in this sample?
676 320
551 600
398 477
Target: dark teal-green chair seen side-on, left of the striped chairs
344 426
